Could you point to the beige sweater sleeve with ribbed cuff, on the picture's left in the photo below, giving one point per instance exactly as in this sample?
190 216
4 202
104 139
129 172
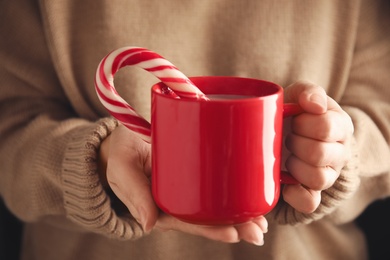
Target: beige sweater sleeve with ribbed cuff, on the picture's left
47 149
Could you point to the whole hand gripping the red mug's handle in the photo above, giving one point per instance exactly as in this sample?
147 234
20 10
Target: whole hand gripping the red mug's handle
319 143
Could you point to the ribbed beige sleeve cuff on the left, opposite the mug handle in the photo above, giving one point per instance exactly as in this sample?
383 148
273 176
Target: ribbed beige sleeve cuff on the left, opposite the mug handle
86 202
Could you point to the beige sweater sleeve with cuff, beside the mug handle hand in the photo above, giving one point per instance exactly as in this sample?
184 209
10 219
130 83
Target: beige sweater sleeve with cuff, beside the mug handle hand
366 99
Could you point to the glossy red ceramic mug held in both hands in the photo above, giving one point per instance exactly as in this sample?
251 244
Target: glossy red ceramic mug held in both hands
219 161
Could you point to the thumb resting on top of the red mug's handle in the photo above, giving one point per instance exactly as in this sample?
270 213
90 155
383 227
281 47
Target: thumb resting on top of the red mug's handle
311 97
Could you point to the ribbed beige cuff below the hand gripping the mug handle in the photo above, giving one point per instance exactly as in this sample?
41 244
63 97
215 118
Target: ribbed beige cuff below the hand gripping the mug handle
345 186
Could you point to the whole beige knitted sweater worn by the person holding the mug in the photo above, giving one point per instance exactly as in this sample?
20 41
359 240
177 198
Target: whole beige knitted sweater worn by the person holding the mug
51 122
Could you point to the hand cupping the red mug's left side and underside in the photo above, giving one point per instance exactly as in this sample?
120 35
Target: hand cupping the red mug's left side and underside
125 166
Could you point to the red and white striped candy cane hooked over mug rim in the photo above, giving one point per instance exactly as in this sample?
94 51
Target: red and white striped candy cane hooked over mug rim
135 56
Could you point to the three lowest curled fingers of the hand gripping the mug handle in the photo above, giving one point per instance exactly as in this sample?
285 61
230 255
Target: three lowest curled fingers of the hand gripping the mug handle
316 165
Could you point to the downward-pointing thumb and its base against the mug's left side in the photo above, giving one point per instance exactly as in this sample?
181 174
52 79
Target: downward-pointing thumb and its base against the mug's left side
128 167
